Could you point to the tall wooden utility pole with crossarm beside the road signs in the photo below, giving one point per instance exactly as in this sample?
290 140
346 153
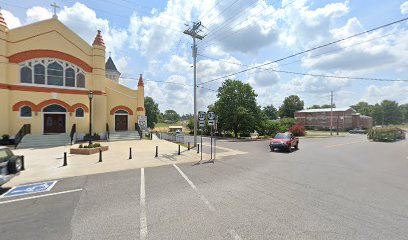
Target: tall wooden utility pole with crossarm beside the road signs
193 32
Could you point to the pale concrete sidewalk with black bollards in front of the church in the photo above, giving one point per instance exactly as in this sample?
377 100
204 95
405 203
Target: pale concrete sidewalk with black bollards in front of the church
46 163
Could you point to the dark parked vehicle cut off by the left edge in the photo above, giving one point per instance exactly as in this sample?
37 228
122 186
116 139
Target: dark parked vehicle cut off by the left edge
10 165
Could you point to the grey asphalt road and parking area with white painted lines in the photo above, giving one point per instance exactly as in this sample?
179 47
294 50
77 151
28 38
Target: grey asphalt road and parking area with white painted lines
340 188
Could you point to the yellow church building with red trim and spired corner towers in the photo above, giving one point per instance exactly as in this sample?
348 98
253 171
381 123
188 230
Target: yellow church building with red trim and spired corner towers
49 76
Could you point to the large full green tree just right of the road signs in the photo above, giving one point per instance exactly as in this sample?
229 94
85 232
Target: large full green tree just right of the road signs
237 108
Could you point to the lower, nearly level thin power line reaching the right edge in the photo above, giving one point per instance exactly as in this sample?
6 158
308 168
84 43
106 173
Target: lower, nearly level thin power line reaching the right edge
312 74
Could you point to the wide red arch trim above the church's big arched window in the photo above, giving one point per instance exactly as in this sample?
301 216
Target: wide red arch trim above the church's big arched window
31 54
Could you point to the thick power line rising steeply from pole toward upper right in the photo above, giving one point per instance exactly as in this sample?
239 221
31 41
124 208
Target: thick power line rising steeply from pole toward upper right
309 50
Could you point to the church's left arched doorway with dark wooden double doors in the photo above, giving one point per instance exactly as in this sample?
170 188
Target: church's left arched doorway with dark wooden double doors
54 119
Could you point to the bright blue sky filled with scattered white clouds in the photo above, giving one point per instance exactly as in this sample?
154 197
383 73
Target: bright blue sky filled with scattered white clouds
147 37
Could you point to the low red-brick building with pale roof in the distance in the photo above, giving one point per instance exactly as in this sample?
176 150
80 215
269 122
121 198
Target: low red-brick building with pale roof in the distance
343 119
